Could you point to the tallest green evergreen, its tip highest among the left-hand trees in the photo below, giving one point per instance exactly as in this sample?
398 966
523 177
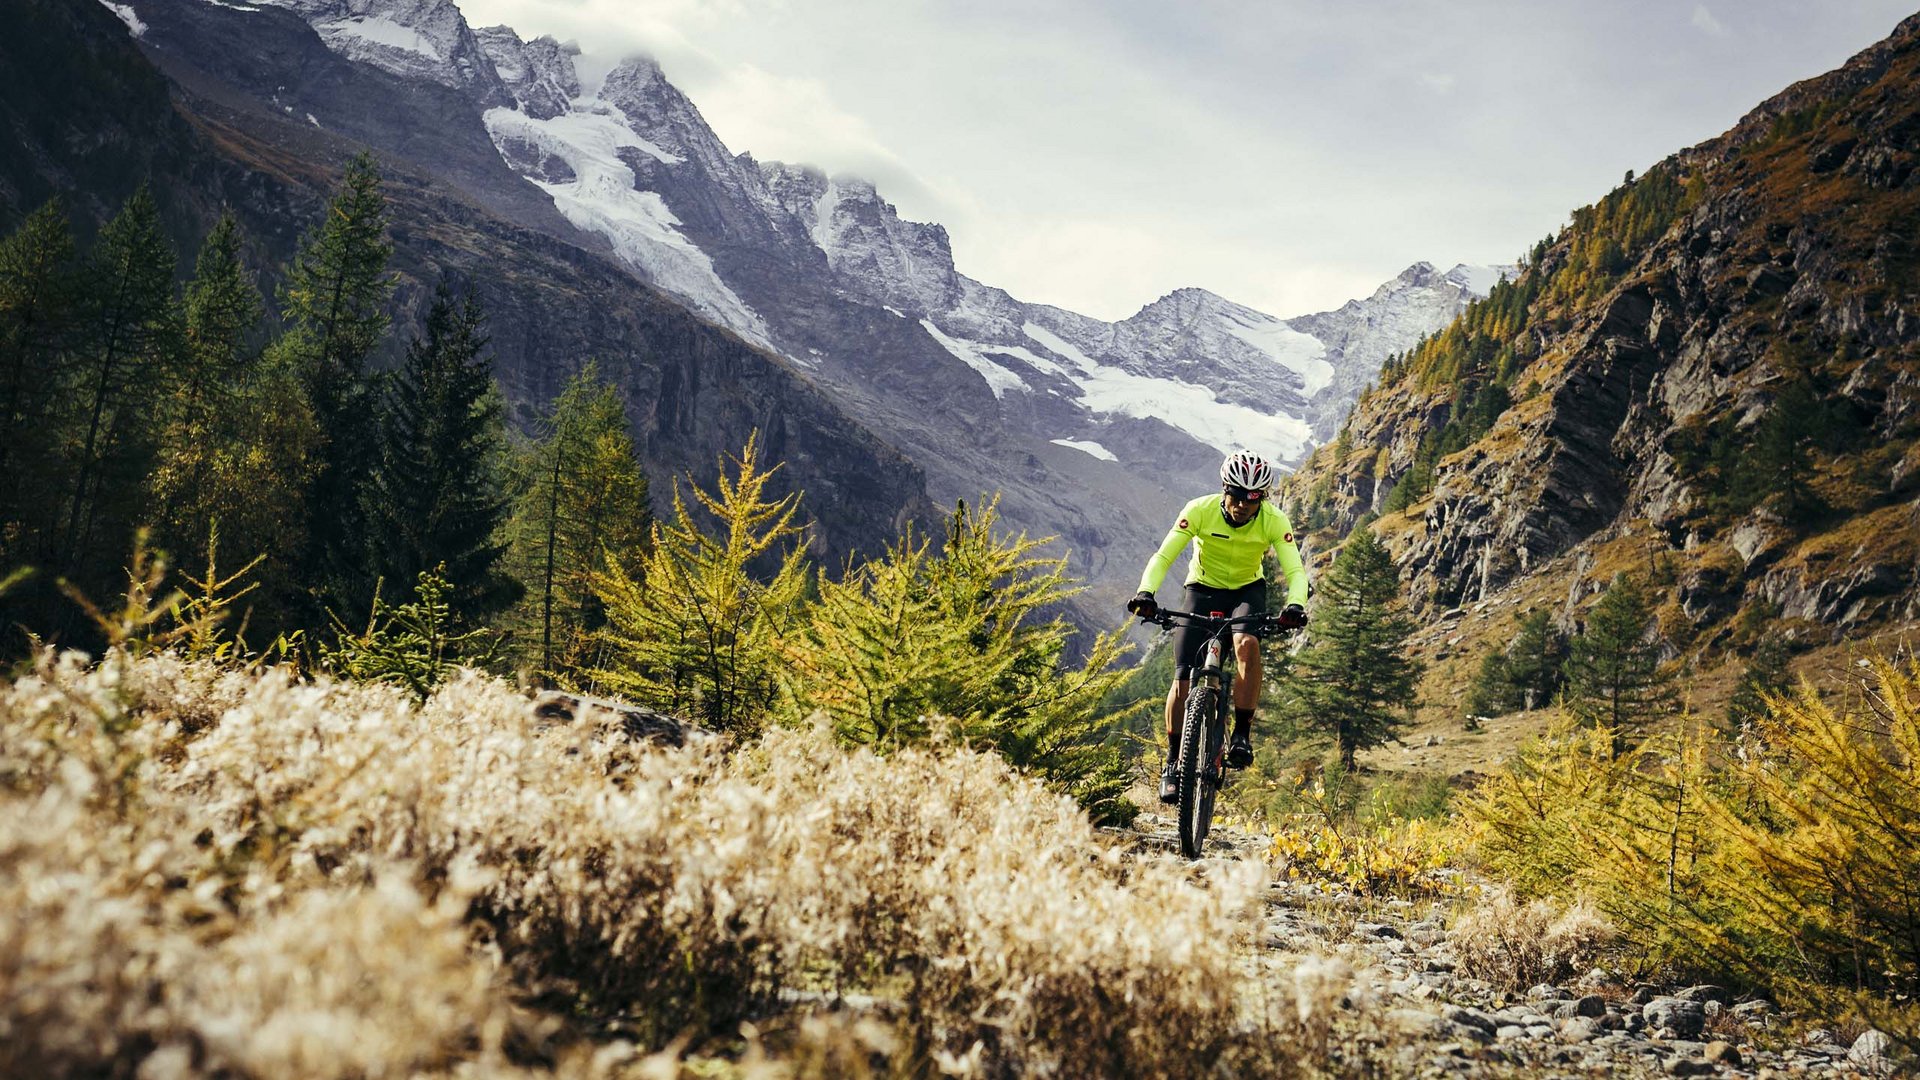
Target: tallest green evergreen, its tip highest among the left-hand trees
333 303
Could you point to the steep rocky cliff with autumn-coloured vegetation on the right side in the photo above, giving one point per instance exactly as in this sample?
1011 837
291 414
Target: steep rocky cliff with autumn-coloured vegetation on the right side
1712 376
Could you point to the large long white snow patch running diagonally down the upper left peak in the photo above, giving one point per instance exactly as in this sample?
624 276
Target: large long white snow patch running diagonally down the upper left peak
602 199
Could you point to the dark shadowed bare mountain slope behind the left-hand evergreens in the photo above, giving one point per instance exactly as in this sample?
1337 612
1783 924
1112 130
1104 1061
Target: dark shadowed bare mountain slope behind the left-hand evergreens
694 391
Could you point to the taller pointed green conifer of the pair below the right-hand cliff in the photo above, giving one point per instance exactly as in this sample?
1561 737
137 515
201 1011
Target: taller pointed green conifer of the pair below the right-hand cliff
1614 670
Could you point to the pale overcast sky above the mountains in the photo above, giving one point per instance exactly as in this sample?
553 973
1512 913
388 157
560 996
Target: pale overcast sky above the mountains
1287 155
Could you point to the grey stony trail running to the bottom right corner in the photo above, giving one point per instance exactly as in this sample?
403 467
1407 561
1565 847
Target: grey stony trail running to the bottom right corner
1441 1023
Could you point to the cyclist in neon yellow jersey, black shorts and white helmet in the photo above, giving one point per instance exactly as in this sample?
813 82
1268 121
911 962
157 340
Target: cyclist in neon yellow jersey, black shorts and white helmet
1232 535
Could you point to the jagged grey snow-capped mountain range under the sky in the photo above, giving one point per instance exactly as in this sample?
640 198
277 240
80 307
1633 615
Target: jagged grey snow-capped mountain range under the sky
1088 430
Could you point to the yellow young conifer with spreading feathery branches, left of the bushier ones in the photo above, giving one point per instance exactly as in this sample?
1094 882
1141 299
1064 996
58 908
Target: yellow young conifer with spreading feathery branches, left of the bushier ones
698 633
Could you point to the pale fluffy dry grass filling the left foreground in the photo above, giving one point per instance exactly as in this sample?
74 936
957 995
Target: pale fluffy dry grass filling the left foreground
224 873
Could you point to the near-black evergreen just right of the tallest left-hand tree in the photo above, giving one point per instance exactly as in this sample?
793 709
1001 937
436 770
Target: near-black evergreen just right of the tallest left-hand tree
437 501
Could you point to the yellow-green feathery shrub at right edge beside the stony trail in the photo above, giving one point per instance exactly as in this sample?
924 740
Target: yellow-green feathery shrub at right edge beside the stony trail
1787 871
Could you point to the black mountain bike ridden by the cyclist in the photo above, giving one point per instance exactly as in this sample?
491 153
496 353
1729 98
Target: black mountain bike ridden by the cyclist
1201 762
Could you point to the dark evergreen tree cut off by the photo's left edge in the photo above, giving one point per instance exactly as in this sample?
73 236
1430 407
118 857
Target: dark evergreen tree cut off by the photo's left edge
37 312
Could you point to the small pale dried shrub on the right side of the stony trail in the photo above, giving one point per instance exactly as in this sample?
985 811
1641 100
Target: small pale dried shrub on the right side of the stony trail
1518 945
